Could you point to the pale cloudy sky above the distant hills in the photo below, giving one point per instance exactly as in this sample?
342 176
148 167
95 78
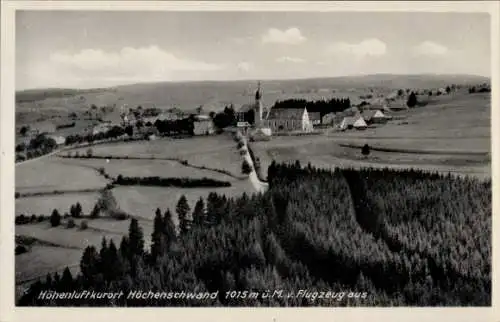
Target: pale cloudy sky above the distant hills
85 49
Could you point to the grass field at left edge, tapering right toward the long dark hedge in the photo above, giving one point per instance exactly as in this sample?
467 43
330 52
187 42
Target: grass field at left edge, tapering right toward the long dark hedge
49 174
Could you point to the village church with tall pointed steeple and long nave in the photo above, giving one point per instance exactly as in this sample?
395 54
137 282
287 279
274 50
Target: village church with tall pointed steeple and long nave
275 119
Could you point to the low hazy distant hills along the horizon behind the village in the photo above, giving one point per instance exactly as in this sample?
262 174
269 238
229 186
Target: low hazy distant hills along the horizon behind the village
214 95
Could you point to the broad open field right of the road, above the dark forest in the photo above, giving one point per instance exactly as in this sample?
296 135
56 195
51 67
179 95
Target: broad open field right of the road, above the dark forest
451 134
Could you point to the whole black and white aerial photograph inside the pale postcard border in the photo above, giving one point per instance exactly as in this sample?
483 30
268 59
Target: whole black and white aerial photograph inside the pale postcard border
215 158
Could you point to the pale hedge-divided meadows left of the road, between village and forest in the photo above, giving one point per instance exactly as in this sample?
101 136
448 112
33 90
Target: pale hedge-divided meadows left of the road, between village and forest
63 174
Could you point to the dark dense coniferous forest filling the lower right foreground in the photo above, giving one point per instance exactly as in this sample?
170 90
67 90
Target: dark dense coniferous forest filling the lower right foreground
384 237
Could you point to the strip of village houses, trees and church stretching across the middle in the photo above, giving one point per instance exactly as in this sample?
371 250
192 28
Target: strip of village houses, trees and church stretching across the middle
254 119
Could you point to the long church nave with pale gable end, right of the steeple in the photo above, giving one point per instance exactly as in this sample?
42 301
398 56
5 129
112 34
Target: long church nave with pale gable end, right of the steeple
289 119
